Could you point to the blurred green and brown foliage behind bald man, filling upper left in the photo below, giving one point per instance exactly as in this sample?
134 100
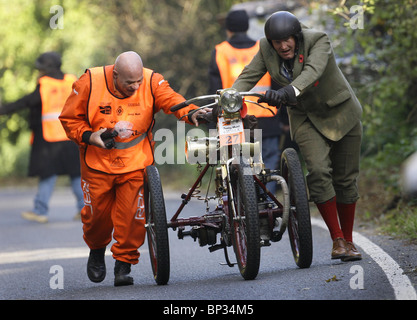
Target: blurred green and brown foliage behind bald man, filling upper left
174 37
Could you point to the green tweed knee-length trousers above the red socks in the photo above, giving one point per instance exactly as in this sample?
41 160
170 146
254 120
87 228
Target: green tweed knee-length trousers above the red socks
333 166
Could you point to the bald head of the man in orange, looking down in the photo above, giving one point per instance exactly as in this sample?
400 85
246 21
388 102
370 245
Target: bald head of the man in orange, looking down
128 73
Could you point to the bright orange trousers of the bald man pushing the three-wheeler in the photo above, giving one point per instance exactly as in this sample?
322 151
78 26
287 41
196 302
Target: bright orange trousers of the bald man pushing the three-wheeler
114 203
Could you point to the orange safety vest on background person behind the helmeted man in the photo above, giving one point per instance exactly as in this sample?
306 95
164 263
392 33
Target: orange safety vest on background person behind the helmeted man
231 62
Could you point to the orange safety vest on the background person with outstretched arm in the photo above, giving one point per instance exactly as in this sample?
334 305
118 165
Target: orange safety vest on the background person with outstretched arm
54 93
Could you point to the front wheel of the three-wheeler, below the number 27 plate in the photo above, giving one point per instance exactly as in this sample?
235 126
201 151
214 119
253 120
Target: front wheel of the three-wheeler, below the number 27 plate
245 221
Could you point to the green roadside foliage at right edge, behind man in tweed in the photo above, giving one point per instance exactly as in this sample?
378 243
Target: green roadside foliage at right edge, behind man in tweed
386 48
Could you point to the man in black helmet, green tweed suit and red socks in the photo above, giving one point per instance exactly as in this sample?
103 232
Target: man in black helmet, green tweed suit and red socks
325 118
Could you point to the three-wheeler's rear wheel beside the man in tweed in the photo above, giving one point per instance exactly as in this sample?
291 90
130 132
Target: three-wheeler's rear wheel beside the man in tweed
299 224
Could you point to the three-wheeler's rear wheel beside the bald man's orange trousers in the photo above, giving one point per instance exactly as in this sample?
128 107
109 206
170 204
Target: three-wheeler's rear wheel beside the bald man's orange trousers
156 224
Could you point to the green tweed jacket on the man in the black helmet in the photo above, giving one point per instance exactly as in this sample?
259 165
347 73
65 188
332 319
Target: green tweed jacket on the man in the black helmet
325 98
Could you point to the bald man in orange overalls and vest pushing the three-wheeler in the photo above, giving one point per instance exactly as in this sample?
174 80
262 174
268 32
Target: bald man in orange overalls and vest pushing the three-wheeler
110 115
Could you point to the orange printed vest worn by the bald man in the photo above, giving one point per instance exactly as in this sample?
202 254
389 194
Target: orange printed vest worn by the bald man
133 150
